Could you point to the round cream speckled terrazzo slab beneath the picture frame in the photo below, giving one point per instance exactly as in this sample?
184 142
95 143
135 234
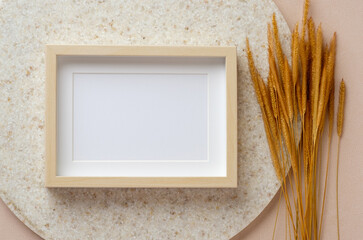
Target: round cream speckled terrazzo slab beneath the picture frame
26 26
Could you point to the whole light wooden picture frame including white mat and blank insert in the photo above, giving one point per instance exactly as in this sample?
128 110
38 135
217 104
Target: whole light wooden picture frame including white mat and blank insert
141 116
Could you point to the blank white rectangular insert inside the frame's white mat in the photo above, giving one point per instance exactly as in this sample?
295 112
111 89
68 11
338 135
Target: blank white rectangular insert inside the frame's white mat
115 115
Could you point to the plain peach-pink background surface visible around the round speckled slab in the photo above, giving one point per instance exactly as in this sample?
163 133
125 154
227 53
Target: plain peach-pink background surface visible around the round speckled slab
346 18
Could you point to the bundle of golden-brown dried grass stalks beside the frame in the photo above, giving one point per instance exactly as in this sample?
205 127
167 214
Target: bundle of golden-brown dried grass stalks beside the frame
294 103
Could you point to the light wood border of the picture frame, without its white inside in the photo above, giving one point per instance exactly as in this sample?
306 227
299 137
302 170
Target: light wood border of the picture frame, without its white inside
52 180
